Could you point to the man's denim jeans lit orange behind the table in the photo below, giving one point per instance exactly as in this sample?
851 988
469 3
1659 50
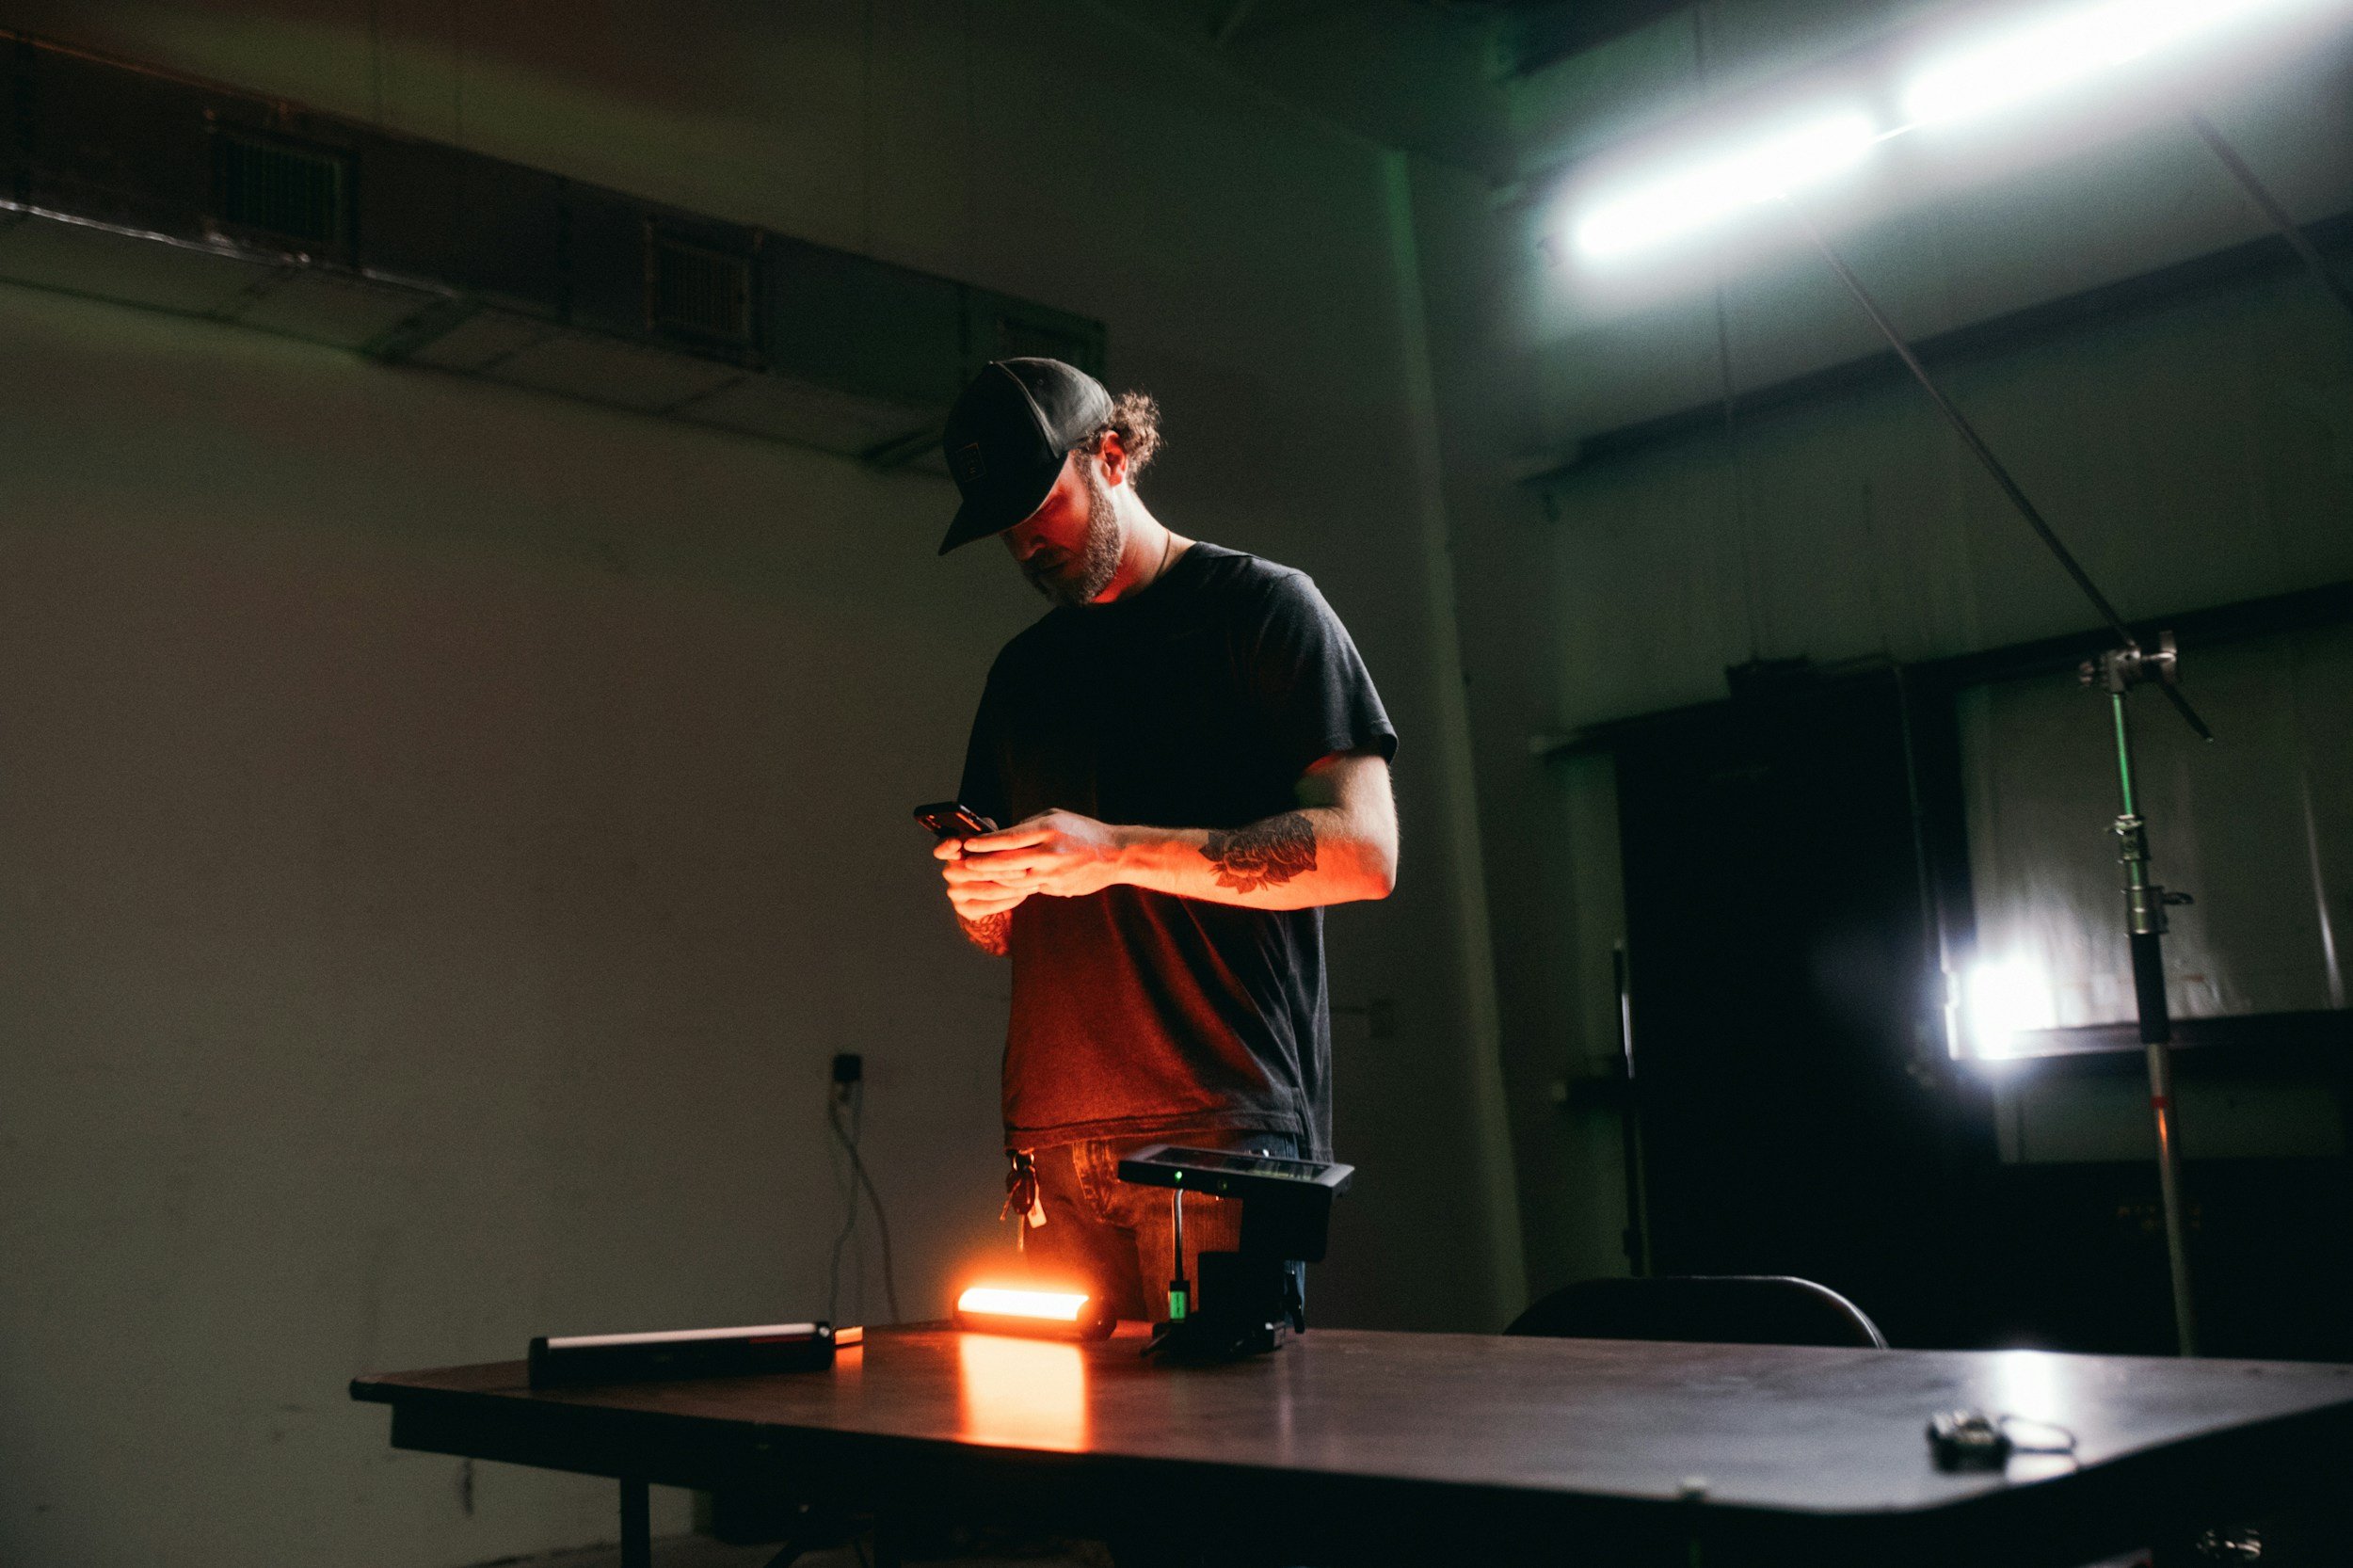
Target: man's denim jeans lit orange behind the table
1121 1237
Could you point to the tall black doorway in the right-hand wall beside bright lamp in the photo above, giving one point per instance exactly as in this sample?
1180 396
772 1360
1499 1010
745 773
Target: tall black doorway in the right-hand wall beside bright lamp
1789 1061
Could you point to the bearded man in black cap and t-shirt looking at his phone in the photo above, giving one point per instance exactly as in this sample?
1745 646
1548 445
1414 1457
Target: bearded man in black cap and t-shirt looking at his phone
1192 762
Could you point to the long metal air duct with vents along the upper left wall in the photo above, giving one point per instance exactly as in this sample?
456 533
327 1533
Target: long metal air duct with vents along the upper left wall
152 190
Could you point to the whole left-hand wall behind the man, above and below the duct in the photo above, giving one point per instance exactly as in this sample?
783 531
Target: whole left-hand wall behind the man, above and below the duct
448 830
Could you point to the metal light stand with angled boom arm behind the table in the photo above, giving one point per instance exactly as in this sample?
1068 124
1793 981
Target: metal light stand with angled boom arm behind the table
2145 903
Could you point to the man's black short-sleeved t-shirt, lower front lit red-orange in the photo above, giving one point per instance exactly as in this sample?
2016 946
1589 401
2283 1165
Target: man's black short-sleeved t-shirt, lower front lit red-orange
1199 703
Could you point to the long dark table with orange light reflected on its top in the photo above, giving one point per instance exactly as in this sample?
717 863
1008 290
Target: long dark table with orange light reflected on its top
1451 1449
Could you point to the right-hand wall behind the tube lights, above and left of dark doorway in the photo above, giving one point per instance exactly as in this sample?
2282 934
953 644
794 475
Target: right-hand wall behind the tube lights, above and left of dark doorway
2192 451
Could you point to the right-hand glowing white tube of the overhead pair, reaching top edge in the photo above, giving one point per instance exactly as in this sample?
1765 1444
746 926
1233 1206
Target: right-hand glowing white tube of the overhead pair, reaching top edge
2067 48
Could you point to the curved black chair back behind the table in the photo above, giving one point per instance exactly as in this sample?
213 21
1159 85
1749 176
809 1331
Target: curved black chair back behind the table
1702 1308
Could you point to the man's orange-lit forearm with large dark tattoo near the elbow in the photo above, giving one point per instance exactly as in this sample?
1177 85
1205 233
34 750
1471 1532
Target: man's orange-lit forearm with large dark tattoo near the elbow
1293 861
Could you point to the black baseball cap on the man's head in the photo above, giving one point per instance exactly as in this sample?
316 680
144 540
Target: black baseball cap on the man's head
1008 437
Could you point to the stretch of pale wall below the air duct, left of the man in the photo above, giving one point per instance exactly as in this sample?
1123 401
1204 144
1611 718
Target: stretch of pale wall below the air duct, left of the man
444 856
